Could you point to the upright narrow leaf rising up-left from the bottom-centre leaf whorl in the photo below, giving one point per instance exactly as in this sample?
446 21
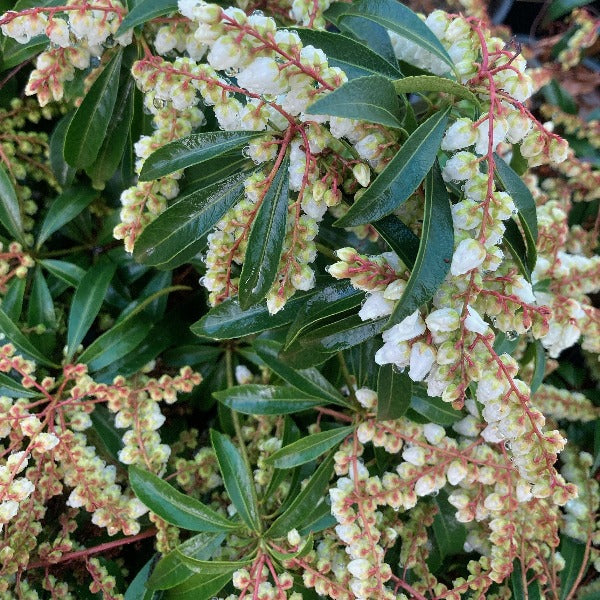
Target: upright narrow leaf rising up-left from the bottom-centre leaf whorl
237 479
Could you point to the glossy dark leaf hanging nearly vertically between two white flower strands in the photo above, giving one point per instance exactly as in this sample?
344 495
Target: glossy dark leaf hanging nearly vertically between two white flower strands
265 242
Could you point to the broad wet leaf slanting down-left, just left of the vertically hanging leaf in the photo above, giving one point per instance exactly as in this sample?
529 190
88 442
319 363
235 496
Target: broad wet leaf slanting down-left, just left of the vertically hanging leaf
176 235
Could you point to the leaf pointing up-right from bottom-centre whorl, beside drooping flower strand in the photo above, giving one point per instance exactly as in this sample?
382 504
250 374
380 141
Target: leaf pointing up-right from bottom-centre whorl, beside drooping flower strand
296 515
